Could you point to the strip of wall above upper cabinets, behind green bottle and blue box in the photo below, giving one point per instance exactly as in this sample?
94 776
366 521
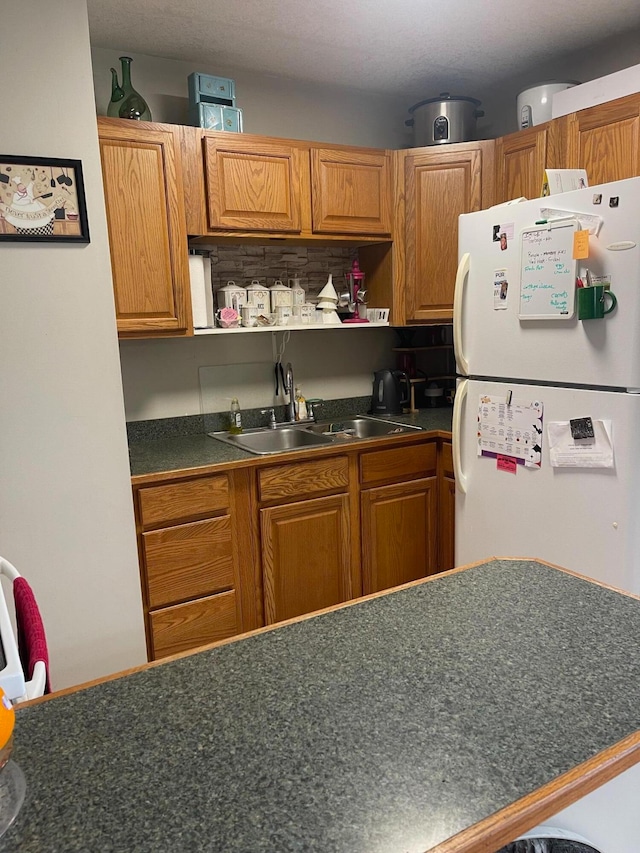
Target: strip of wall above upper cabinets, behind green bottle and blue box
272 106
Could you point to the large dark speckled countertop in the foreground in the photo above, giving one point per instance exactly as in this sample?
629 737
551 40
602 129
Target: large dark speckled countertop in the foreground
387 726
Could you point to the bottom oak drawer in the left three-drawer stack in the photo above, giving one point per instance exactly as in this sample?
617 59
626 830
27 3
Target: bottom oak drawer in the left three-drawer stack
187 626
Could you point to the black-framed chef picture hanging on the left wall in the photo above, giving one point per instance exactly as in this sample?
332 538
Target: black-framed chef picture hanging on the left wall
42 199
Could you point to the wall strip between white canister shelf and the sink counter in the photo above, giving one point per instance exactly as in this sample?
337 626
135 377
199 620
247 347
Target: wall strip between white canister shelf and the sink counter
161 377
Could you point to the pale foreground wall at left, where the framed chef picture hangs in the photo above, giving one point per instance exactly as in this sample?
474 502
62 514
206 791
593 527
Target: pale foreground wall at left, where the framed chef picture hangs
66 517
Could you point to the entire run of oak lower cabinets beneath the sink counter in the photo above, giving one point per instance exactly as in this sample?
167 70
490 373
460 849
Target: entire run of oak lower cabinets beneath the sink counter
225 553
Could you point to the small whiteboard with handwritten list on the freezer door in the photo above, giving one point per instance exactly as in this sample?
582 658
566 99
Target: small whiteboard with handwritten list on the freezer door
548 272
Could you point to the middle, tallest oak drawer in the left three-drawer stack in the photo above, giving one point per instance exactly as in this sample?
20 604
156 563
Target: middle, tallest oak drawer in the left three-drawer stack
188 561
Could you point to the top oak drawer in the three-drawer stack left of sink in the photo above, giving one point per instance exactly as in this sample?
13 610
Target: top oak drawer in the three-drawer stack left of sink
180 501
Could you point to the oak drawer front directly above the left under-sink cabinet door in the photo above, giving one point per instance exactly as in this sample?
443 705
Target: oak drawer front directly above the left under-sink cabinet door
304 479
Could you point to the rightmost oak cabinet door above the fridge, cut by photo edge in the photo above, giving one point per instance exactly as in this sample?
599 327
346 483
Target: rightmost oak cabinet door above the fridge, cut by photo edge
605 140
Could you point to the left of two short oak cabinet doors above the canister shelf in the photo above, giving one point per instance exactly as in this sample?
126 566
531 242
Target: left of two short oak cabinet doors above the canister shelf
253 185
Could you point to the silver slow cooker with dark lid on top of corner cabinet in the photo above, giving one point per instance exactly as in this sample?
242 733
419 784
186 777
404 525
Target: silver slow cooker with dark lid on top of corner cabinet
447 118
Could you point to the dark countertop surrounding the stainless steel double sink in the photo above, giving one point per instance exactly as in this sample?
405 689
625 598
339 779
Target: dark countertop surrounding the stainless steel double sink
155 455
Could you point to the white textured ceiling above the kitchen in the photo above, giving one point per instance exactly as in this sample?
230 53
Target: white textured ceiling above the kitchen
392 46
